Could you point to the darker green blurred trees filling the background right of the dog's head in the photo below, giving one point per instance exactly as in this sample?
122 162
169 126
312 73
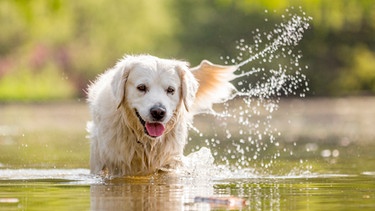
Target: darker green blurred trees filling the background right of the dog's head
213 26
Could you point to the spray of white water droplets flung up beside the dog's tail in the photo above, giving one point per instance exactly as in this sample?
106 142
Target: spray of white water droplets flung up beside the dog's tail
268 68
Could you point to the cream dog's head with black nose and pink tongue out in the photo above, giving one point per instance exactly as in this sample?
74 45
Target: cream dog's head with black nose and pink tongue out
153 90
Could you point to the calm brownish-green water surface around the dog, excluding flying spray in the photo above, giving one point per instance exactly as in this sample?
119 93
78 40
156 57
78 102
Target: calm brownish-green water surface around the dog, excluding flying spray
44 164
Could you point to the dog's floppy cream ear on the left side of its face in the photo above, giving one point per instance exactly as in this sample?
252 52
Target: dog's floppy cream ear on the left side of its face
119 79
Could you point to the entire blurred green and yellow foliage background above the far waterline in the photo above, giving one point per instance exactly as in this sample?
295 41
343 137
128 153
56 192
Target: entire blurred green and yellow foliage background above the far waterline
83 38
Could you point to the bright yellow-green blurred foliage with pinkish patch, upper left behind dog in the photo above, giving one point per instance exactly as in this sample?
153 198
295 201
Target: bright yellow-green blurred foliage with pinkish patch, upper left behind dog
81 38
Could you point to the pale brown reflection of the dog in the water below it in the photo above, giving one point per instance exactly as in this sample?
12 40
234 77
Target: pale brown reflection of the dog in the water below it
144 193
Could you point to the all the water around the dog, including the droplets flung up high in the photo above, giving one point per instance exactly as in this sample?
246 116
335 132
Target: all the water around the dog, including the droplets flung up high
275 154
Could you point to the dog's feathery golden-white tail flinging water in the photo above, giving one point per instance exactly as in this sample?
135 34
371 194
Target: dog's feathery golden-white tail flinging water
214 85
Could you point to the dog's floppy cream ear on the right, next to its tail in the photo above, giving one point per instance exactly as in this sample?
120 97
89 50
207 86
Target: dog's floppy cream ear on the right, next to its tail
189 85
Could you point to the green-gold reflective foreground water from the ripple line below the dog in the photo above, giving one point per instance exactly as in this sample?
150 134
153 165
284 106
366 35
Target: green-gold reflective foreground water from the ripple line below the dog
166 191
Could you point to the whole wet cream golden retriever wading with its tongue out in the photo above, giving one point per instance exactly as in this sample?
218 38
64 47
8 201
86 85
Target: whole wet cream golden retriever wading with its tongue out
142 107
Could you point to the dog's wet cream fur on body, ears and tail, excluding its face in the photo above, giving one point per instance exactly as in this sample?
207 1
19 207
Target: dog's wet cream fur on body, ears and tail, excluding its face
119 145
